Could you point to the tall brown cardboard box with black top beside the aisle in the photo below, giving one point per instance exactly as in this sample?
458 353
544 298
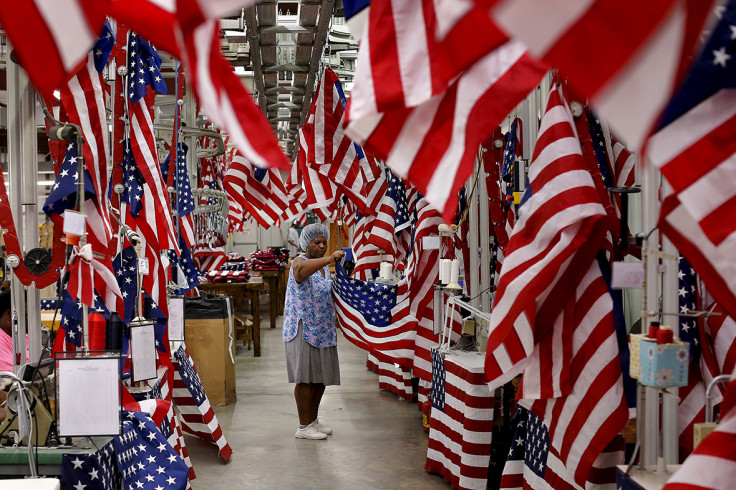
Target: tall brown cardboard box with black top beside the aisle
208 342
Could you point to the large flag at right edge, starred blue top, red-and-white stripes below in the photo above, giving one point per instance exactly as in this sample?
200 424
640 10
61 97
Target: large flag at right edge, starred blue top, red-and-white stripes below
695 151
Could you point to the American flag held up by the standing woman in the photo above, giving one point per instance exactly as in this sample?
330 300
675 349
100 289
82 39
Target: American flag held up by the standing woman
365 312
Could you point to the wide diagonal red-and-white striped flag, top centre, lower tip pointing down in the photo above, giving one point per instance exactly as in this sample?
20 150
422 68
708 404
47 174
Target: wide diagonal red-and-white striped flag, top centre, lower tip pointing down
434 145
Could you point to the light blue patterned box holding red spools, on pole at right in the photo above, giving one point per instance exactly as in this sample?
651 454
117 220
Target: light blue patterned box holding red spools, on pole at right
663 364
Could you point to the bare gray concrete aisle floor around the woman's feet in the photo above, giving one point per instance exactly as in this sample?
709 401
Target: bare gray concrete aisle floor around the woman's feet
378 442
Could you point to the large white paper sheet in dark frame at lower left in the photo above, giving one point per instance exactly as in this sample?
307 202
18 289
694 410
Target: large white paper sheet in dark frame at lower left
88 397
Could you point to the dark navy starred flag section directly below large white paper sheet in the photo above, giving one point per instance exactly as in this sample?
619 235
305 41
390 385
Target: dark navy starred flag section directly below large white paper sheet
93 471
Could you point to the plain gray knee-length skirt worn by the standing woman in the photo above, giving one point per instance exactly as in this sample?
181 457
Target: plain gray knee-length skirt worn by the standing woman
308 364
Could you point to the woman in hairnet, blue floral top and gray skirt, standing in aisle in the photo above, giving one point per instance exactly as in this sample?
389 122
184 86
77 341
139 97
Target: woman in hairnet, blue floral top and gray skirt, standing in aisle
309 329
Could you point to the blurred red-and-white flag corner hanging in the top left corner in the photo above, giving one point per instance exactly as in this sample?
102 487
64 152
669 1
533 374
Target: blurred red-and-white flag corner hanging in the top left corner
64 31
